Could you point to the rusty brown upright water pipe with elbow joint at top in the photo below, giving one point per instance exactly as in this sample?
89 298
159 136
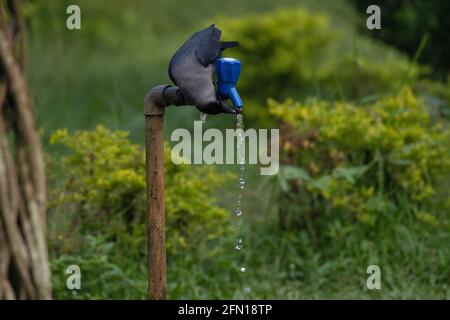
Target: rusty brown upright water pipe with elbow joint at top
155 103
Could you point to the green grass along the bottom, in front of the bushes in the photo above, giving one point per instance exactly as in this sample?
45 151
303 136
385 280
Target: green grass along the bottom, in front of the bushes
279 266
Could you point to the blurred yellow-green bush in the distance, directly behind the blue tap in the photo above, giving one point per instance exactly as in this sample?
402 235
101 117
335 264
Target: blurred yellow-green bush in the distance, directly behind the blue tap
274 54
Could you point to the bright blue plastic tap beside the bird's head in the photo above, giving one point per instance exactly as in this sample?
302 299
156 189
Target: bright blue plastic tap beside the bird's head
227 71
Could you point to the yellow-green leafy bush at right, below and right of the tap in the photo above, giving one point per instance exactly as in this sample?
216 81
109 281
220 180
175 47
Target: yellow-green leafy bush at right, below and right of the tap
363 160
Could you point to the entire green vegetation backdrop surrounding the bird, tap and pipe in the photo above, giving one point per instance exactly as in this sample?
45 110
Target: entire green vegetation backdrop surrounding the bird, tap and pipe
363 118
